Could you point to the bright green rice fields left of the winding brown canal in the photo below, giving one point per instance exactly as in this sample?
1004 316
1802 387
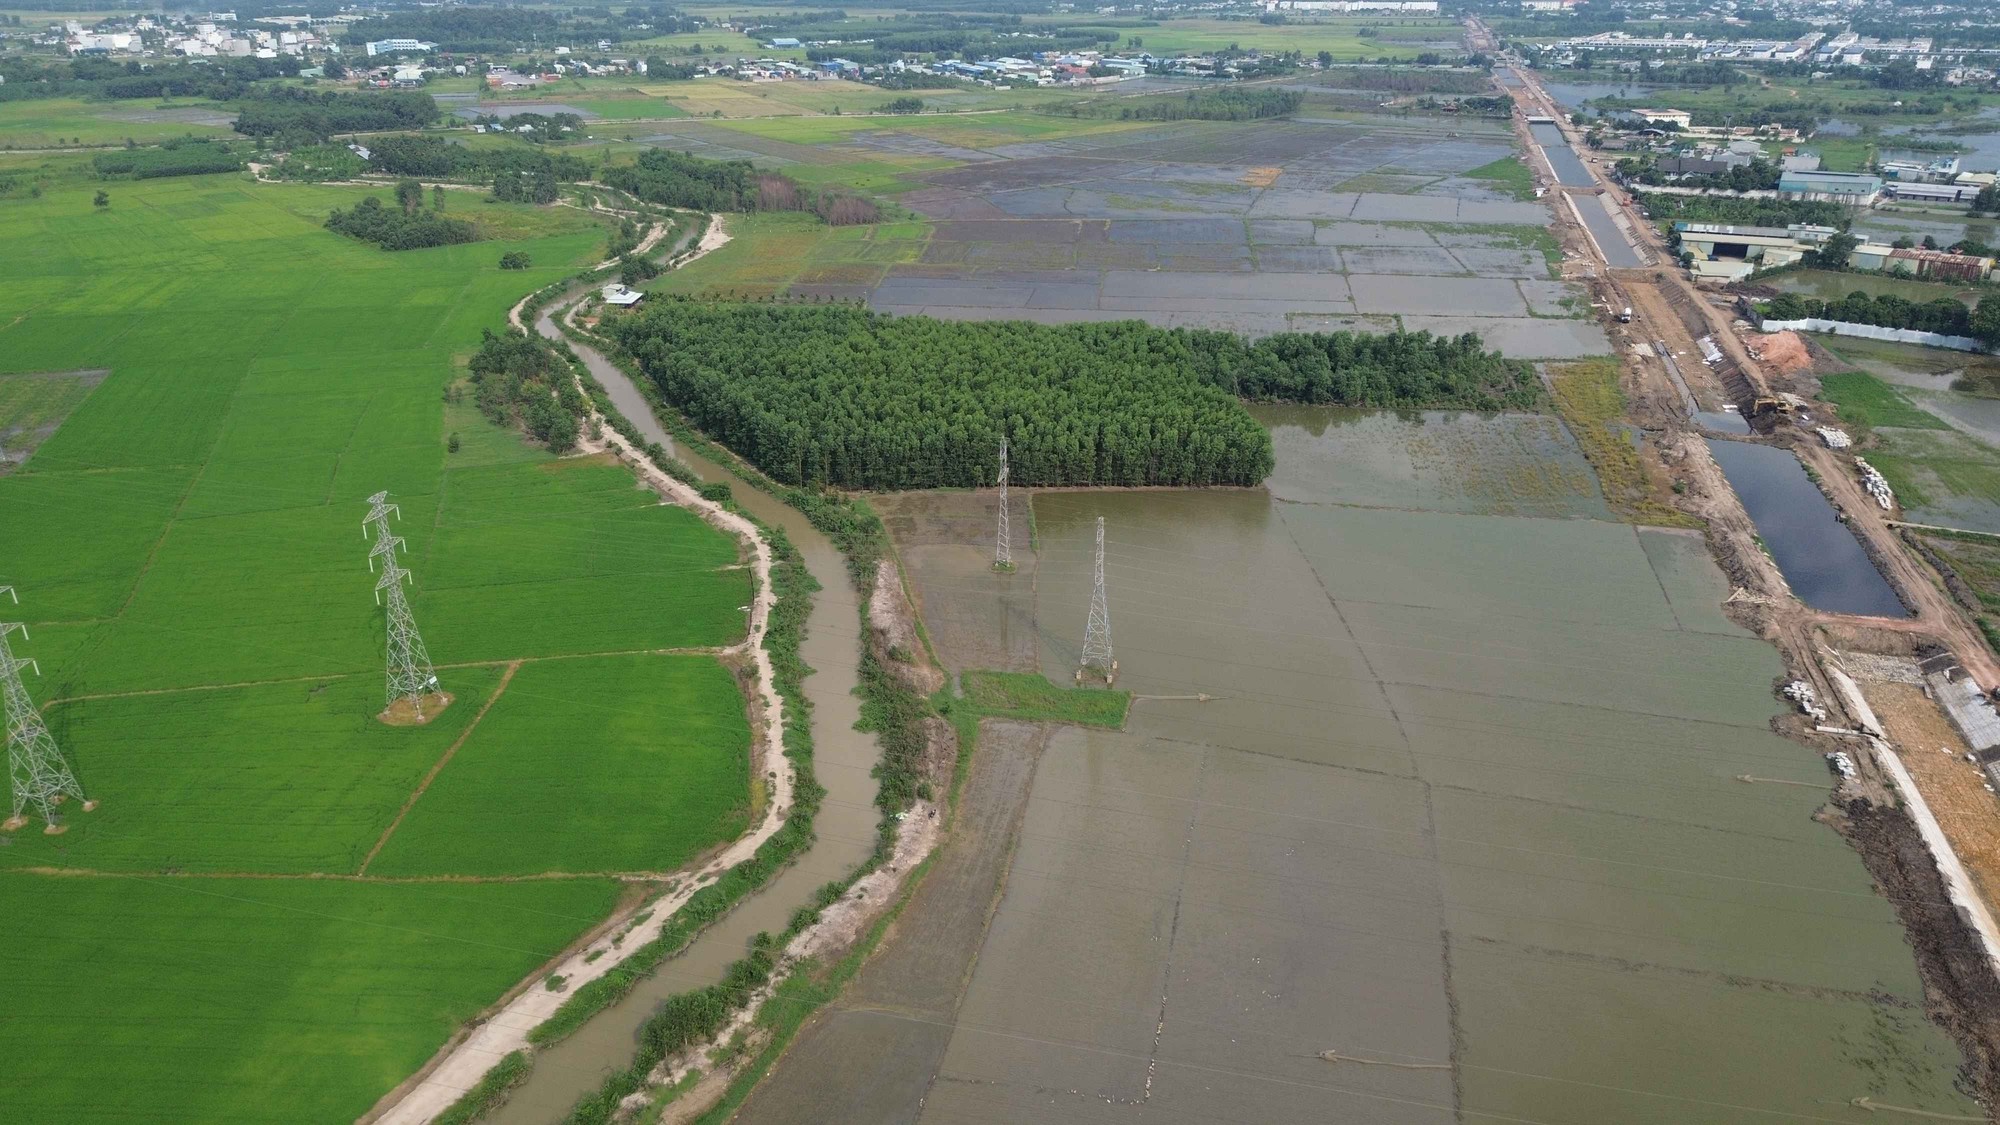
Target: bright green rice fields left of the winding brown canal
251 926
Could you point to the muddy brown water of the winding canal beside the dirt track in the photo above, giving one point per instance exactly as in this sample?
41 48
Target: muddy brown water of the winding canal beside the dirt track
843 828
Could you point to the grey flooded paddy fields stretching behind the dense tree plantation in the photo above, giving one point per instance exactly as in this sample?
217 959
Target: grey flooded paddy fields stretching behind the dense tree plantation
1255 227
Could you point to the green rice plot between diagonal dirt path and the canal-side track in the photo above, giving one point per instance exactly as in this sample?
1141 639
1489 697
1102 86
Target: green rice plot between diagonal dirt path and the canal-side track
605 764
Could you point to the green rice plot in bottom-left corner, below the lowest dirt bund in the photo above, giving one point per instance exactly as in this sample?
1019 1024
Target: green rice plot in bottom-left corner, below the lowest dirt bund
299 1000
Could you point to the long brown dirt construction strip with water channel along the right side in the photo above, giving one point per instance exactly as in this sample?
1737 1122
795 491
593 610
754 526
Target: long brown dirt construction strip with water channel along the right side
1897 700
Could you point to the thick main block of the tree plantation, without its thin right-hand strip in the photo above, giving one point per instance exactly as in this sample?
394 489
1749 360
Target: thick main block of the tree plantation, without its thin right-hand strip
835 395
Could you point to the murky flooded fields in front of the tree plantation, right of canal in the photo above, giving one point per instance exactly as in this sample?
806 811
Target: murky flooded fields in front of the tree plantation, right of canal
1457 834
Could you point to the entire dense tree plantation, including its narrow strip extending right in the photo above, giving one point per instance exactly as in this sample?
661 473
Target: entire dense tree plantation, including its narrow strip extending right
835 395
